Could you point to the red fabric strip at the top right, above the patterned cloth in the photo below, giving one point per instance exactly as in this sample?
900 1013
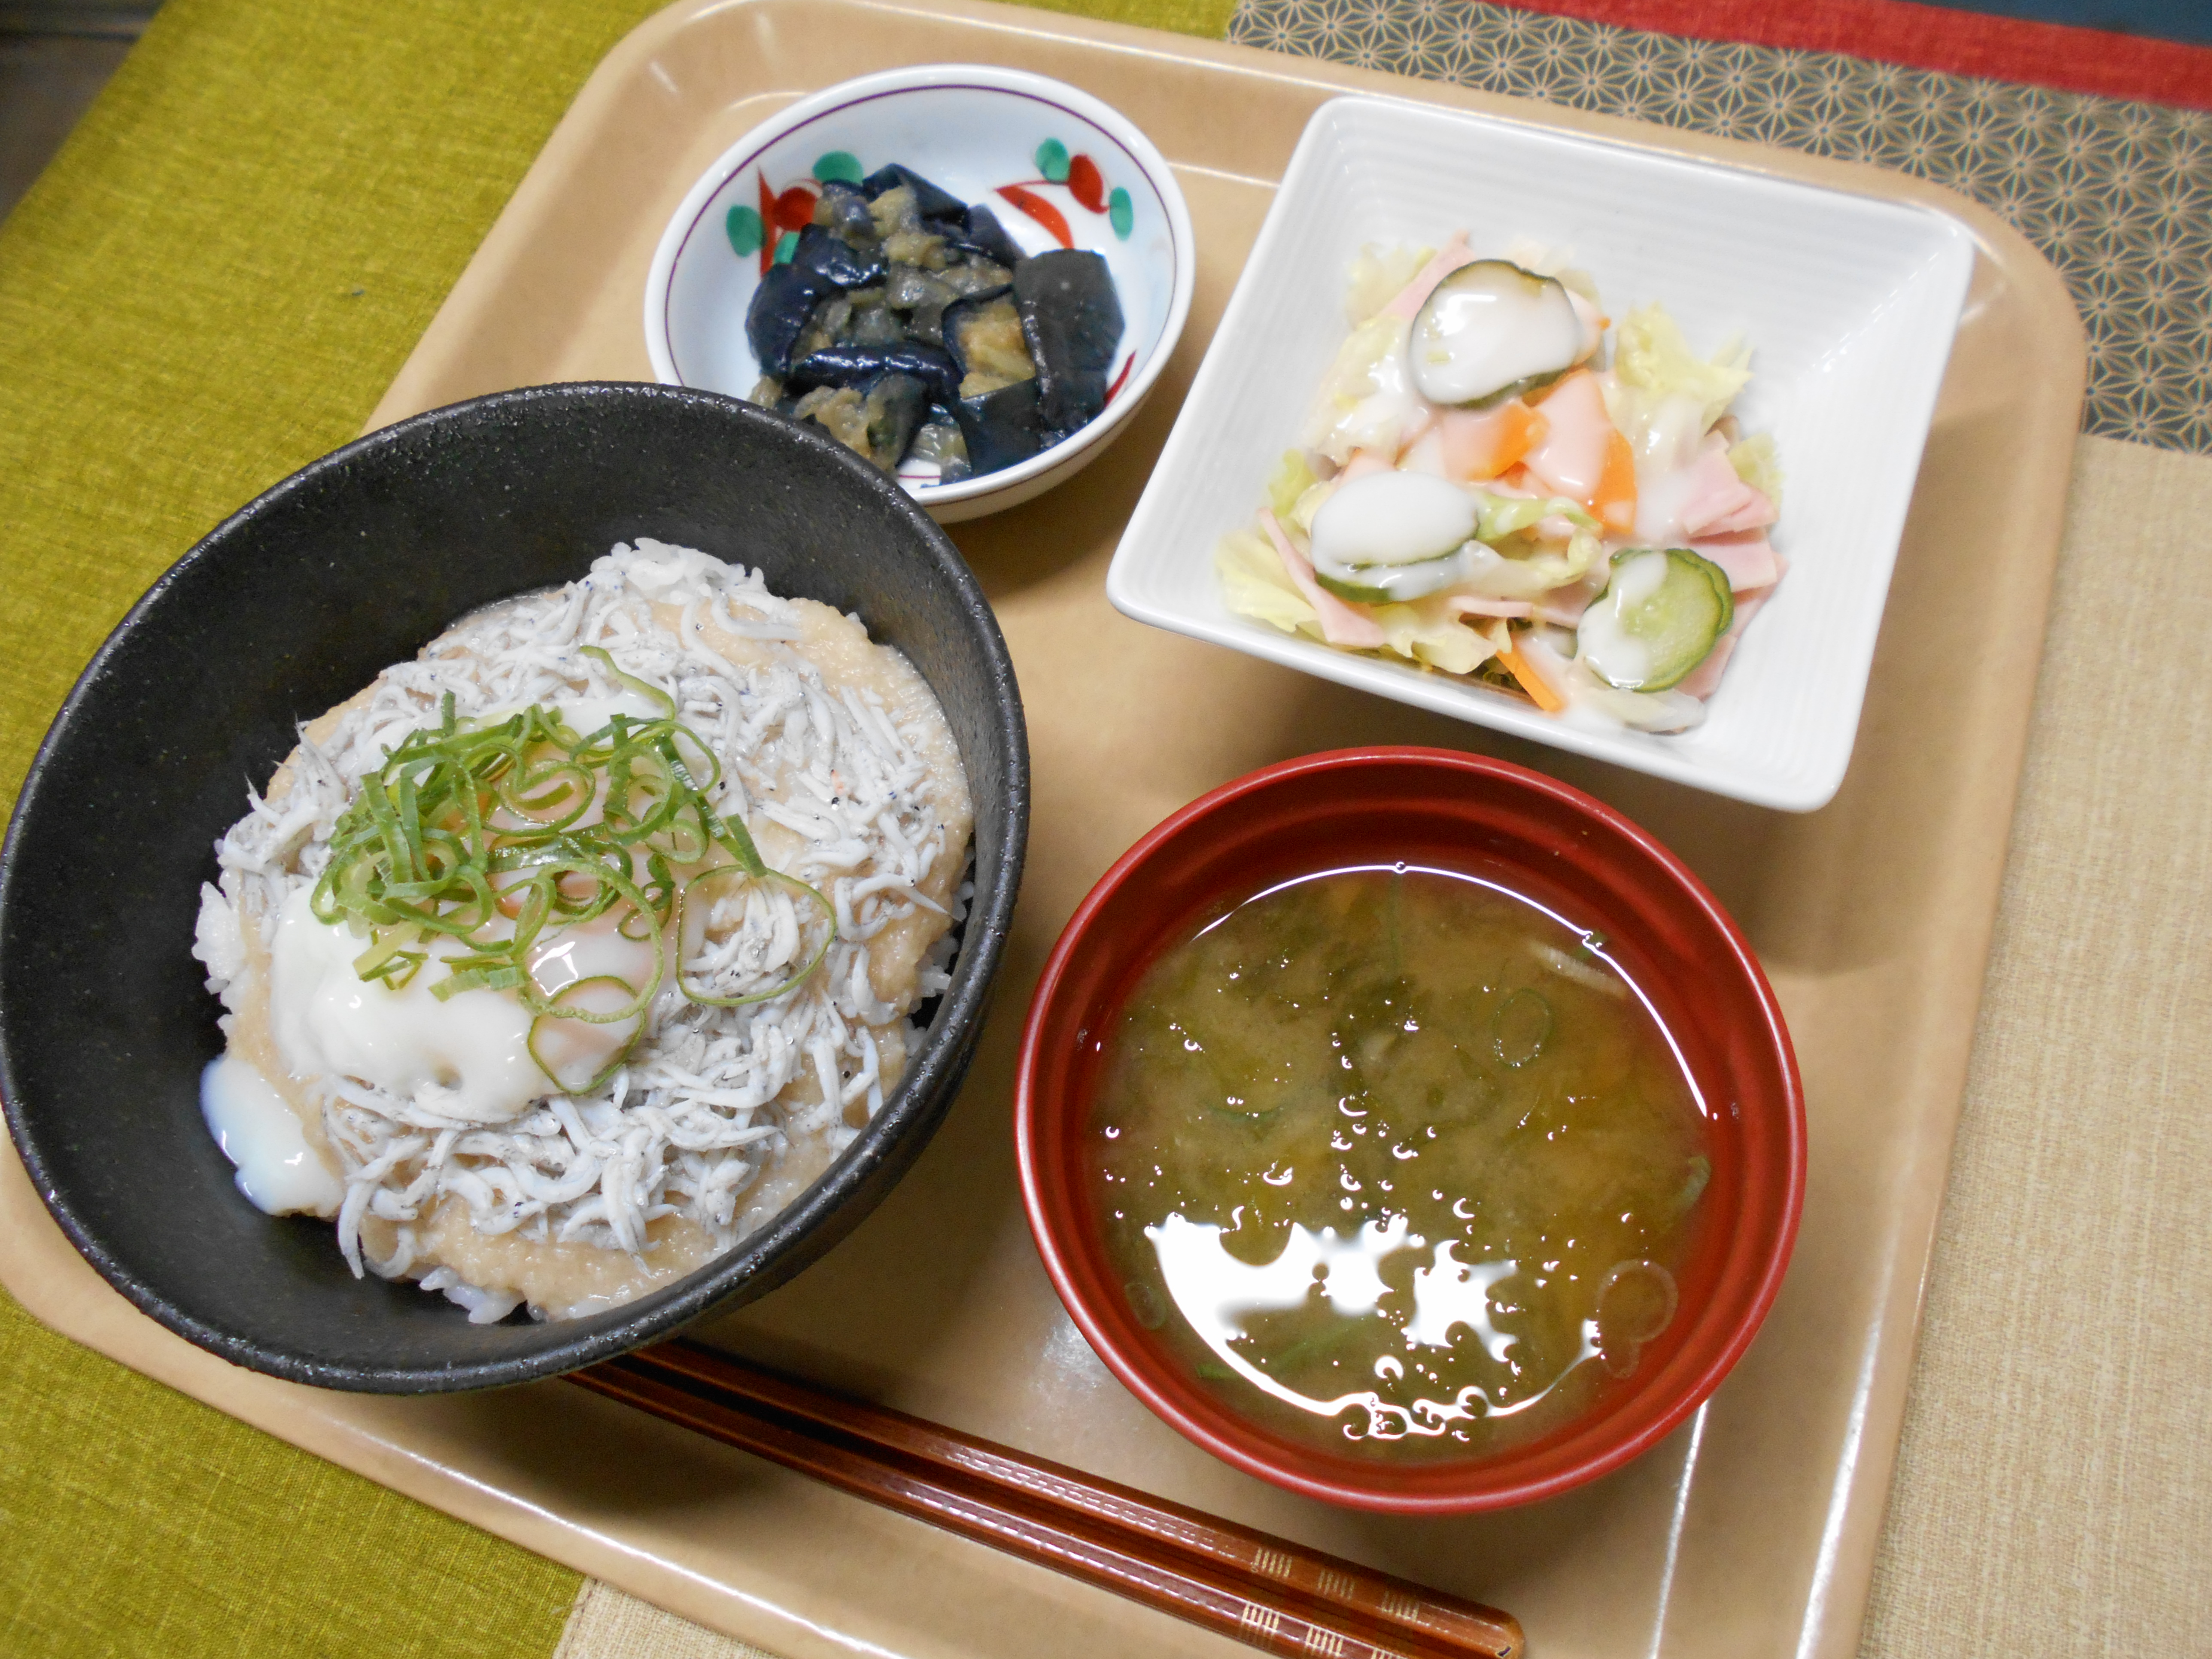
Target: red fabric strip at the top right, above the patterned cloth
1957 43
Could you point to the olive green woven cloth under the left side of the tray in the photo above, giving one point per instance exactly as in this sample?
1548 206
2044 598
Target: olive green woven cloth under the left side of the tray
211 286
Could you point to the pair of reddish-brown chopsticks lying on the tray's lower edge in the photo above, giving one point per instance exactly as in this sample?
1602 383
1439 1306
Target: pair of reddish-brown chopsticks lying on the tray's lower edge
1266 1592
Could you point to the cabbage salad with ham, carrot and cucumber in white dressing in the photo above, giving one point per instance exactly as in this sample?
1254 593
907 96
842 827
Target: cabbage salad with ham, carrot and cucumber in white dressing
1483 490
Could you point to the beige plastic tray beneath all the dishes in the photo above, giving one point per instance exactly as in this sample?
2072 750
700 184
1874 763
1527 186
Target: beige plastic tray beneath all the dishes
1746 1534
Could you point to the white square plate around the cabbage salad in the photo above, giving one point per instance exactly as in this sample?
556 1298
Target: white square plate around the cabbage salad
1848 304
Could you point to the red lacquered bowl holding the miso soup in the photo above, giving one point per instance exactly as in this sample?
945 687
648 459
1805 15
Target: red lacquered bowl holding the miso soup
1563 851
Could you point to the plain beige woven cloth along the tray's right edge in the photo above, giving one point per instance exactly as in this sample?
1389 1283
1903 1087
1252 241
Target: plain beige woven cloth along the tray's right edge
2054 1485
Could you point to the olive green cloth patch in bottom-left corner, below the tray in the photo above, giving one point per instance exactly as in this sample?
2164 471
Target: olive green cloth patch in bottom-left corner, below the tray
138 1525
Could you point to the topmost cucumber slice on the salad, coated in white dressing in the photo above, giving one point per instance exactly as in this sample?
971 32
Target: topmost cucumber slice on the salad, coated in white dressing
1492 331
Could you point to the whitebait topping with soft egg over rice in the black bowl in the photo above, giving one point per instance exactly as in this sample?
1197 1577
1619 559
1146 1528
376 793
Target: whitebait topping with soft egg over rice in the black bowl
740 1054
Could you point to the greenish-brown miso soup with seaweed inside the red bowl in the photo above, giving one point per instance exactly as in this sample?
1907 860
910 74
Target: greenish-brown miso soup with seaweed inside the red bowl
1399 1162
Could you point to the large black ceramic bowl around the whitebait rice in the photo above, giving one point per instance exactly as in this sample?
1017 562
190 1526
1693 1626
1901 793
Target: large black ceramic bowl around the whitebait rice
291 607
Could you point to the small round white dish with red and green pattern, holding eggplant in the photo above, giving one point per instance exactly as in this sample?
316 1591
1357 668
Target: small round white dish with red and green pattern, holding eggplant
1058 169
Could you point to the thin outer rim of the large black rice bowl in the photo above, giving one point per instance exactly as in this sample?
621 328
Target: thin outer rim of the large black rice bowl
793 1238
